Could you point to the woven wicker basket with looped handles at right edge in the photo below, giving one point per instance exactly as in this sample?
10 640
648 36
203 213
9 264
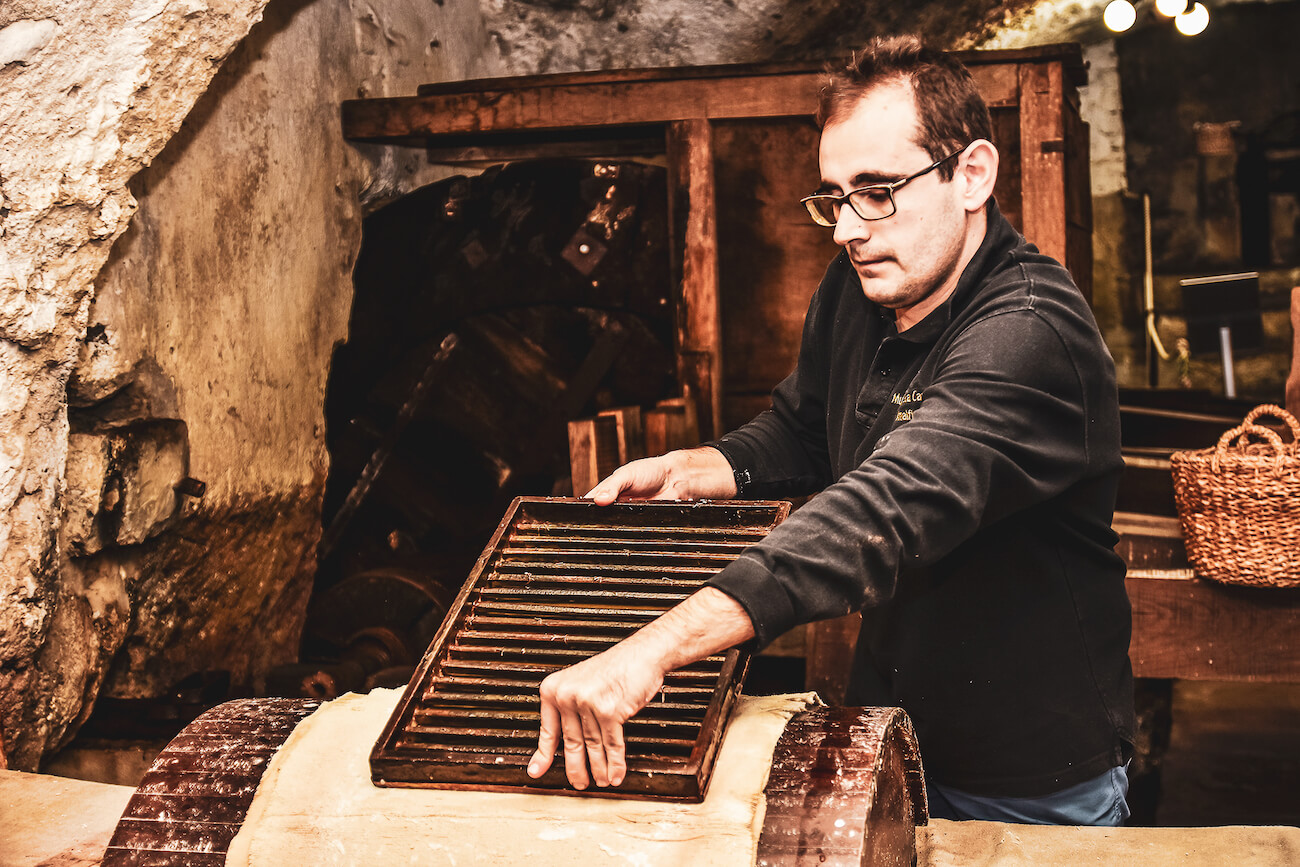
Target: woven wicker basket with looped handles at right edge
1240 504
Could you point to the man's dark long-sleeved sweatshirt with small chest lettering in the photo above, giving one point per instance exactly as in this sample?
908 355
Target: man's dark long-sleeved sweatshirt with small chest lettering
968 474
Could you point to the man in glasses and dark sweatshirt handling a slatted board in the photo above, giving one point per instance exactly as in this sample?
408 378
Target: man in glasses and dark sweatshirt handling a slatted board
956 406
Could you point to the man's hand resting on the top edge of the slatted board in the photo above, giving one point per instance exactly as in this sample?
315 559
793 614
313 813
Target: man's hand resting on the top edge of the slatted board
687 474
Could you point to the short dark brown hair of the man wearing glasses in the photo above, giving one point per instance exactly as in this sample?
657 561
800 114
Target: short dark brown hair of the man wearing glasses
950 110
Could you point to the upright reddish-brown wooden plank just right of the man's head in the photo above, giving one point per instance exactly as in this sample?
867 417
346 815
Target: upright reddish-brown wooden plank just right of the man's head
1043 159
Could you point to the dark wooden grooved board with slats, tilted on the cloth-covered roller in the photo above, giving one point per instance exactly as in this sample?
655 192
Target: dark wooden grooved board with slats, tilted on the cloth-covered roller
561 582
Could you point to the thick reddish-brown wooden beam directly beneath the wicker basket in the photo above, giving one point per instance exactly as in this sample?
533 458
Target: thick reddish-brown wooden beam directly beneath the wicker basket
1195 628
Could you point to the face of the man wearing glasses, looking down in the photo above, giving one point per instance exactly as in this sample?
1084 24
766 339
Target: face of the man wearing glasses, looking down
909 262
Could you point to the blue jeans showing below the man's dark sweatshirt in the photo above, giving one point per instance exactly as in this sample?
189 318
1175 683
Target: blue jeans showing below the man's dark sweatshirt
1099 801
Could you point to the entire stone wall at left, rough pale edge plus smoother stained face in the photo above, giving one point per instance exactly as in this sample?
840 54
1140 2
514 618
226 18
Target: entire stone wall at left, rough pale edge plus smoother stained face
201 350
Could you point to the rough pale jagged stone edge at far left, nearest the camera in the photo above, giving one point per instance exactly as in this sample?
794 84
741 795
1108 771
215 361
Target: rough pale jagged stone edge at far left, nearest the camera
89 94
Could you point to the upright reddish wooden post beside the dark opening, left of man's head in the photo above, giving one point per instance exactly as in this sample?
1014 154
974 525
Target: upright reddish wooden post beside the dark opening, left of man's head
695 228
